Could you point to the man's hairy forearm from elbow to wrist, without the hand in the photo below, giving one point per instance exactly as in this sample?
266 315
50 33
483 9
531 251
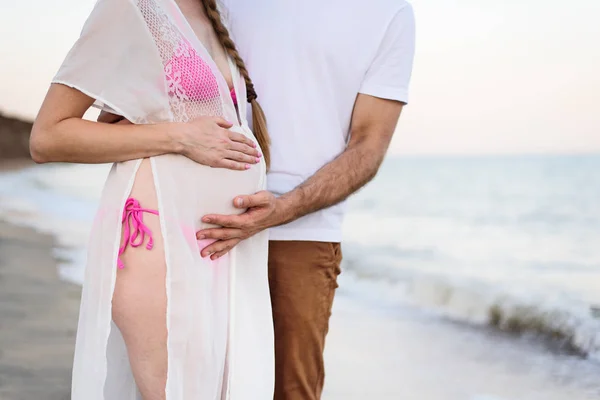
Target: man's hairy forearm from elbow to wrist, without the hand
334 182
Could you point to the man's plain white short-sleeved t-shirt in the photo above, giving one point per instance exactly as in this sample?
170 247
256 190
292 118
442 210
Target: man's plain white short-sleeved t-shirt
308 60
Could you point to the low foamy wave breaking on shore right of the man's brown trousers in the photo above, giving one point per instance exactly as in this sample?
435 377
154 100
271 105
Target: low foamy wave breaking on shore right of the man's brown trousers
570 324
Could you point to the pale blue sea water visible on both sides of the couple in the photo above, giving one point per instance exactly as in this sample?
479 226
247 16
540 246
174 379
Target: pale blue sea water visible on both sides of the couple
510 242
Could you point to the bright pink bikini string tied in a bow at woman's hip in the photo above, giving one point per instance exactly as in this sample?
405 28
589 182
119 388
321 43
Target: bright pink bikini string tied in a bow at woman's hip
135 236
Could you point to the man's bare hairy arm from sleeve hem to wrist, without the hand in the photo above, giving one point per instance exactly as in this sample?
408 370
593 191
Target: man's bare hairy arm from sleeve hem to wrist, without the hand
373 124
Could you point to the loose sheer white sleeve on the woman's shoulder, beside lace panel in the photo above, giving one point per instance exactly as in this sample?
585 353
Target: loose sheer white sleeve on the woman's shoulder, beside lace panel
116 62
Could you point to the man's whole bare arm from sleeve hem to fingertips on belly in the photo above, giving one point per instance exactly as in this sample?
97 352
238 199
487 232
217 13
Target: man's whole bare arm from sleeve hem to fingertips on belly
373 124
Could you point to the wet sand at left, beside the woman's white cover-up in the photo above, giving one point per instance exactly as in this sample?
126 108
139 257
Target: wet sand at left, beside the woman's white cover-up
38 316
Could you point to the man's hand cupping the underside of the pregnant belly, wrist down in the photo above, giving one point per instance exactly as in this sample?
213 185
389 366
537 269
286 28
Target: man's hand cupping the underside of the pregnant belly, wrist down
263 211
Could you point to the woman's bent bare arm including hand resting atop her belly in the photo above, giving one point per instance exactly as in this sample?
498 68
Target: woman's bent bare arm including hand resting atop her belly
61 135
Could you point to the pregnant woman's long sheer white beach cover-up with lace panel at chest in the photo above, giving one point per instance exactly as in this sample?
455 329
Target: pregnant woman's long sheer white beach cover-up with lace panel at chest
220 331
